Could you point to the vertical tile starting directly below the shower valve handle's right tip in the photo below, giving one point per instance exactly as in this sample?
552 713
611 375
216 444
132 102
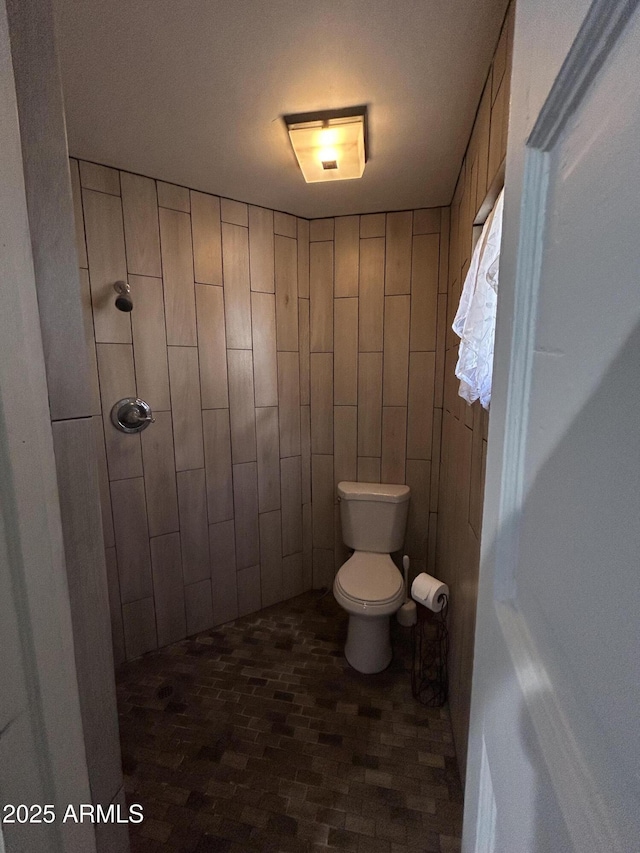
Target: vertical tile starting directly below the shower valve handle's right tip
159 476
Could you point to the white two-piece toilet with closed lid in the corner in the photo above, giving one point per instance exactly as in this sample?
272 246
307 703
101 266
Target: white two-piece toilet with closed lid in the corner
369 586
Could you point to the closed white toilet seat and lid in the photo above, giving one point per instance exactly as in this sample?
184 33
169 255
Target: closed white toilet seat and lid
369 583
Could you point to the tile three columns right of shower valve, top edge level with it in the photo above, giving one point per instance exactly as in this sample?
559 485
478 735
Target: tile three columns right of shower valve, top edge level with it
217 450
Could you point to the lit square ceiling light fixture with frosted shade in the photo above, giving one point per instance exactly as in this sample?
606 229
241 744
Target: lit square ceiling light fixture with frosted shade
329 145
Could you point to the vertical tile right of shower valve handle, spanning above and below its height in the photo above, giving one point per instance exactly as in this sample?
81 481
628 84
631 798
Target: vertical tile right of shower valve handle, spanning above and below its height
186 407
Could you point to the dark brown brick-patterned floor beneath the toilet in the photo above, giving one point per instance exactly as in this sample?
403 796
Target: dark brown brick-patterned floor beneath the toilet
258 736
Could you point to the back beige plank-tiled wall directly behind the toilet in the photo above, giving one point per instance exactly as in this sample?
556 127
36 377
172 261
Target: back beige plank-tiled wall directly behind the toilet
377 335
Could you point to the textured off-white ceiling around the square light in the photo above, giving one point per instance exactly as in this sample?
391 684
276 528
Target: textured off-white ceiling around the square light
193 92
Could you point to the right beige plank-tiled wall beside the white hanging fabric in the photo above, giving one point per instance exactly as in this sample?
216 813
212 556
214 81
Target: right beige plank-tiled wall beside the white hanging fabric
464 428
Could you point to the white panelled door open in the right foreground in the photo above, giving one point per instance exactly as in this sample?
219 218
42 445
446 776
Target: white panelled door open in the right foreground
554 749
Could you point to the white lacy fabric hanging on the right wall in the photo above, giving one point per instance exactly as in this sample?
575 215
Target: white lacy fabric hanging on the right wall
475 321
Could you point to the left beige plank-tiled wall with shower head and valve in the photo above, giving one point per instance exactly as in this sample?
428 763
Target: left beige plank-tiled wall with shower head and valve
206 514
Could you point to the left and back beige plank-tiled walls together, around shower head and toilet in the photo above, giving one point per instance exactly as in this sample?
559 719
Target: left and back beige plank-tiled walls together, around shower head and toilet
280 356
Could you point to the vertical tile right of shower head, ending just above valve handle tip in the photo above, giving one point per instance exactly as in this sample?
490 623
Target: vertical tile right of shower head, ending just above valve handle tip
150 342
